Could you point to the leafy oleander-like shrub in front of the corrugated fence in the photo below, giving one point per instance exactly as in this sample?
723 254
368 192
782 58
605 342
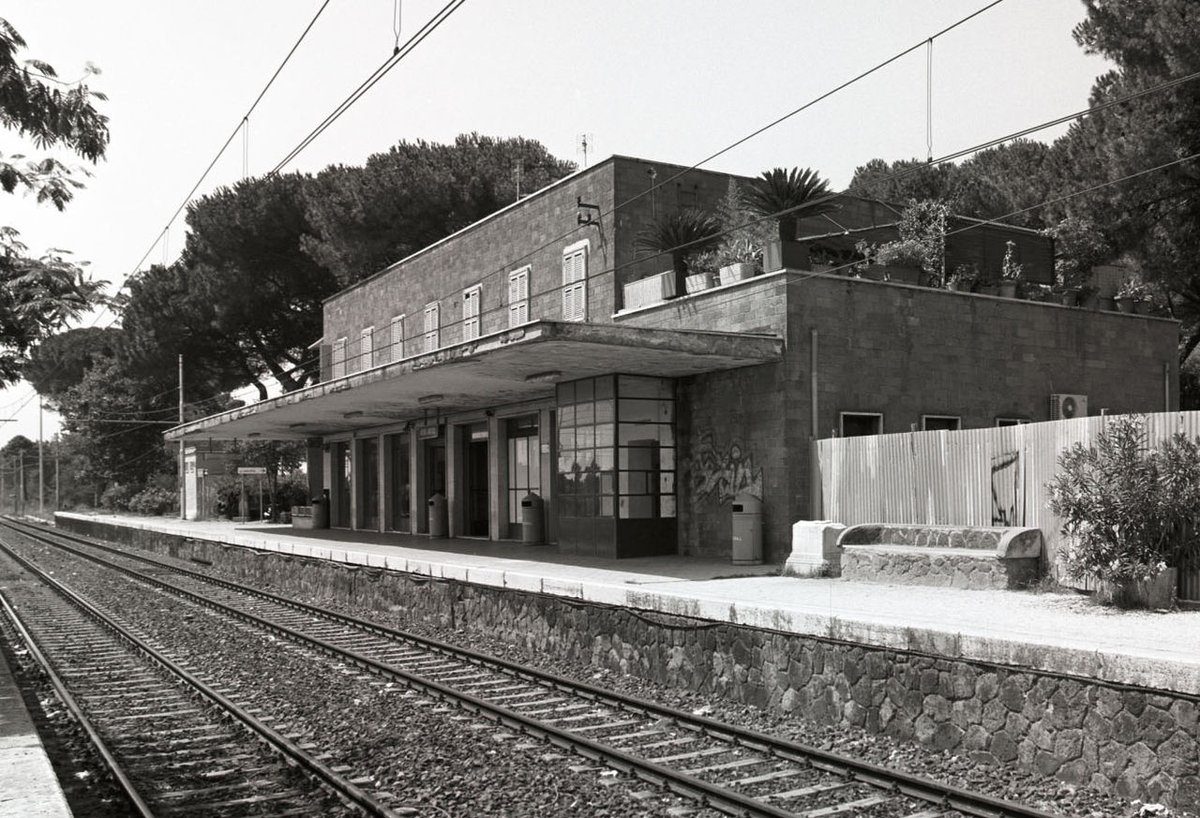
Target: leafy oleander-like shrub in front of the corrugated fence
1130 509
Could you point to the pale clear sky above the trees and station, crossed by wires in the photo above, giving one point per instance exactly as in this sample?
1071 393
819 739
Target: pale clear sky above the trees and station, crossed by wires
674 81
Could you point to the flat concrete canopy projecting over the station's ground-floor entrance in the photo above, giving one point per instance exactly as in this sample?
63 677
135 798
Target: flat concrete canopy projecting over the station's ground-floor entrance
518 365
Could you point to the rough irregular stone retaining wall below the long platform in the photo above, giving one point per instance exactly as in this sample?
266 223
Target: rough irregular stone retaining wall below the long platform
1136 742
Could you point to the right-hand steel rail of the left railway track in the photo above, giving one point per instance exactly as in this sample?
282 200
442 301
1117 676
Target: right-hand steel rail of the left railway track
285 747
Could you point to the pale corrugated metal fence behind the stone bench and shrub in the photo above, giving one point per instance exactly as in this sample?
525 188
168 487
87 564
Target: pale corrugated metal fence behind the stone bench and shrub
994 477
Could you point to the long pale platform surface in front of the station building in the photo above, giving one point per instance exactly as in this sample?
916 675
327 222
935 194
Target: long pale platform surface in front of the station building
1047 631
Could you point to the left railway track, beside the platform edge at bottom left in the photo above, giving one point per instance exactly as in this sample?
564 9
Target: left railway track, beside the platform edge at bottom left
173 744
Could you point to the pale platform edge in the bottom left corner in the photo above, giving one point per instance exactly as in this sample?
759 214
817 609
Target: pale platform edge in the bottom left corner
29 789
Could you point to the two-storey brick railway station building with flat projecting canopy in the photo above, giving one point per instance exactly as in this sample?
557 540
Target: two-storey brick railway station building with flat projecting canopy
539 353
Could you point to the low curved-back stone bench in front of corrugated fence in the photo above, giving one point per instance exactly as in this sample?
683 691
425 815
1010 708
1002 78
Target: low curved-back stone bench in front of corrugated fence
943 556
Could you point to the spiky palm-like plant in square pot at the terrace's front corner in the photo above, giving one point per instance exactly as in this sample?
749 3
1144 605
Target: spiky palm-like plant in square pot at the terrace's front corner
788 197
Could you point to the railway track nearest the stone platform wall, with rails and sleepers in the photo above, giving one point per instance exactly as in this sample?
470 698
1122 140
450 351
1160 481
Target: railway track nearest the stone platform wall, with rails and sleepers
718 766
